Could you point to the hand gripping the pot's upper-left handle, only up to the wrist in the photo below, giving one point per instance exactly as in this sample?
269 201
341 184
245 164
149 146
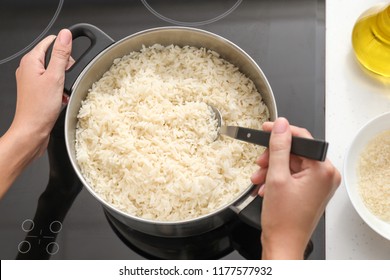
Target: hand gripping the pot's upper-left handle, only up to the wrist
40 90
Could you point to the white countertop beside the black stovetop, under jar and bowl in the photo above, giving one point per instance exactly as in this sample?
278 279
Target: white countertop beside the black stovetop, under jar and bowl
353 97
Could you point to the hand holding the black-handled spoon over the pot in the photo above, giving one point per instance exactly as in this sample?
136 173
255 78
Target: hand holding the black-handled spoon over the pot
295 192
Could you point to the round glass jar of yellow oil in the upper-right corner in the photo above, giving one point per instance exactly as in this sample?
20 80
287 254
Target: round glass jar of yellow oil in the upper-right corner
371 39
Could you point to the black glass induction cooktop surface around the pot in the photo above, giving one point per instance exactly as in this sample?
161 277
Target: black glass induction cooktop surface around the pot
47 214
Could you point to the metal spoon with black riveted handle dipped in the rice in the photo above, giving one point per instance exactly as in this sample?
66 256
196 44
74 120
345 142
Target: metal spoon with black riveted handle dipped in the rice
309 148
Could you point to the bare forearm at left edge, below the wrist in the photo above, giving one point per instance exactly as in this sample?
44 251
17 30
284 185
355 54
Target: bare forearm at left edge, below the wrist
17 149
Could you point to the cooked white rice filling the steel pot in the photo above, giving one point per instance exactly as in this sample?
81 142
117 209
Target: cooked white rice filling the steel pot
144 138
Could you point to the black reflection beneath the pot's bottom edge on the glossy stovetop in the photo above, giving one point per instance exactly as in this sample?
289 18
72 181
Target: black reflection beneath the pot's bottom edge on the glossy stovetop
215 244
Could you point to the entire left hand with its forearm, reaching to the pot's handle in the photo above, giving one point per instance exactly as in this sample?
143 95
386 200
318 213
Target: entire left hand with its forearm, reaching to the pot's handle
39 99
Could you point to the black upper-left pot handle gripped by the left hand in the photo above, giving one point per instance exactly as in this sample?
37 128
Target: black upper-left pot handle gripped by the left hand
99 42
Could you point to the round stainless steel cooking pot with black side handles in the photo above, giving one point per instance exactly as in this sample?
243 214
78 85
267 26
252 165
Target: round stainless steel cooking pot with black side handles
99 57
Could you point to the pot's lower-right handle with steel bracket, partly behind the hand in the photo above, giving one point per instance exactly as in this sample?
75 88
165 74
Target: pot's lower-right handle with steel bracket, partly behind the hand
249 209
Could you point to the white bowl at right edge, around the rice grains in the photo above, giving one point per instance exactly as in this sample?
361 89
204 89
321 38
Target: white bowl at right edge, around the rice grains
365 134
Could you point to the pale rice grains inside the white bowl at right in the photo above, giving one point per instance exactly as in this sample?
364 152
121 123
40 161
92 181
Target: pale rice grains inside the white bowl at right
374 175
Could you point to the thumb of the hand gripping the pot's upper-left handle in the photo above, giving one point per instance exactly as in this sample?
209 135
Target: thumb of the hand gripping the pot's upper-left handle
60 55
